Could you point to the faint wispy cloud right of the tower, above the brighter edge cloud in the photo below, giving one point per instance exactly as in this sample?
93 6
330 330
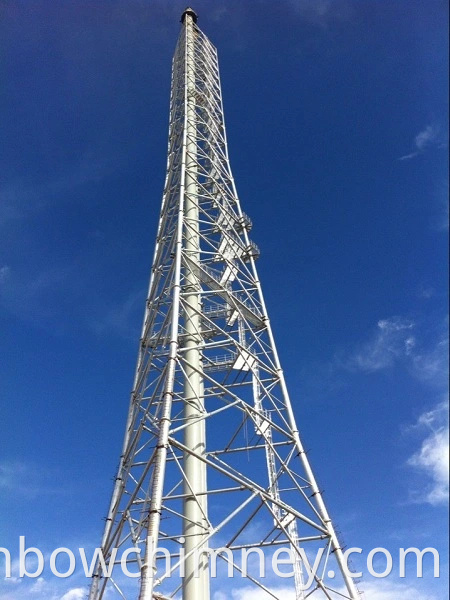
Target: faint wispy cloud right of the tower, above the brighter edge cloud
393 340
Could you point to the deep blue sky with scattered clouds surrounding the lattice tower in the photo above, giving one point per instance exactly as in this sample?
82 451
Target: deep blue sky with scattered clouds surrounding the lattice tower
337 116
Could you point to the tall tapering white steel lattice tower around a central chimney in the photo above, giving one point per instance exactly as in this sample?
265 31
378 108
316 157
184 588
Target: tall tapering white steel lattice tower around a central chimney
212 455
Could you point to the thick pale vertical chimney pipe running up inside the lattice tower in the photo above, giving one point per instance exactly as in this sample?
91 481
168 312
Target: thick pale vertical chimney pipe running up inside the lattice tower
196 580
